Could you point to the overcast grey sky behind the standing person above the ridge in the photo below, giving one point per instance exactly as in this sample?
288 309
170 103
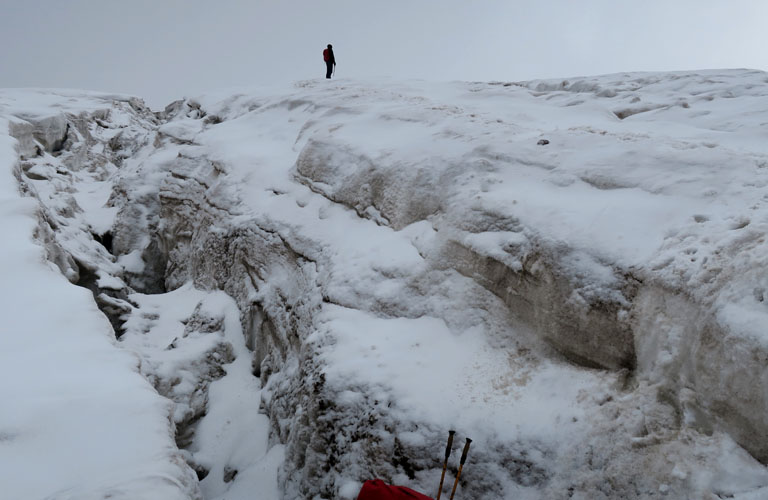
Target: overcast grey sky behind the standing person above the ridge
162 50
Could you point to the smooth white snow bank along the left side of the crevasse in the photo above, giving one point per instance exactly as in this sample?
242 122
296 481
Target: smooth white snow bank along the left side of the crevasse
78 421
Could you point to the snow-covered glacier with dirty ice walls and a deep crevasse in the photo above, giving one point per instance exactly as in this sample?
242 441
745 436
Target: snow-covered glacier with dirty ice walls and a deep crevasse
280 293
